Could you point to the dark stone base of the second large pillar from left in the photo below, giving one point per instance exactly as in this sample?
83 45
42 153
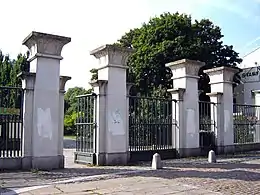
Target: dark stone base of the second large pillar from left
112 158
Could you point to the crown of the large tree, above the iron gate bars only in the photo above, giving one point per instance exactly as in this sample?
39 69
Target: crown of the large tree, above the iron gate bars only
171 37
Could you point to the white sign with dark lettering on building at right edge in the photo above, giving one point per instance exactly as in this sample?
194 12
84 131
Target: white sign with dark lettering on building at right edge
250 75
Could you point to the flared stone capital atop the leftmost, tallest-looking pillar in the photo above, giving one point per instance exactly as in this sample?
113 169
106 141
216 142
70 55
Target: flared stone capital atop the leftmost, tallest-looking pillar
45 45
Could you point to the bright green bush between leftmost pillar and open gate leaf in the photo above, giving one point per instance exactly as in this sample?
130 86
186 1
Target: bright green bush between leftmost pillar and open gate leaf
70 107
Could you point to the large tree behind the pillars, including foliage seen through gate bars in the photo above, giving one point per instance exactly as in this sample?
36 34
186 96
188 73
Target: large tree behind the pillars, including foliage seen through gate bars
164 39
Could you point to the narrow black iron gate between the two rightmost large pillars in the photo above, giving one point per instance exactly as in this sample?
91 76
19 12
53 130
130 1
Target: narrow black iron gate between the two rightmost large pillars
207 124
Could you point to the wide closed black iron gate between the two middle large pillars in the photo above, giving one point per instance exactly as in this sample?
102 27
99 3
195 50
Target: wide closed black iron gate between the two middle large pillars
151 128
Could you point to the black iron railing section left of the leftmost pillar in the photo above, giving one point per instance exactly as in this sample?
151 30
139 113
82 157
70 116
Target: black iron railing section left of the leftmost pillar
11 121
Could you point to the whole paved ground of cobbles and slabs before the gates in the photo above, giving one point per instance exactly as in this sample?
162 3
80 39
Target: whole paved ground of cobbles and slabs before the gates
238 174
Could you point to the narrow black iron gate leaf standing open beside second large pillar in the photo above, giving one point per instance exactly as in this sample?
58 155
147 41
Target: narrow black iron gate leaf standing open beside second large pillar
86 129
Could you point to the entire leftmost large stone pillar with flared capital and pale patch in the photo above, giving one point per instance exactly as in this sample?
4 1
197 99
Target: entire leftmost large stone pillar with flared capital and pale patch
45 56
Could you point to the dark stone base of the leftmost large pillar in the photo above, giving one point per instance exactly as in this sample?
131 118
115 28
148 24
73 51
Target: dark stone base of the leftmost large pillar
48 162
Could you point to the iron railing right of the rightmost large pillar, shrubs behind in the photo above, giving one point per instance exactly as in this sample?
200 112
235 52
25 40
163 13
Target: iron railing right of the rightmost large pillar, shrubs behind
246 123
